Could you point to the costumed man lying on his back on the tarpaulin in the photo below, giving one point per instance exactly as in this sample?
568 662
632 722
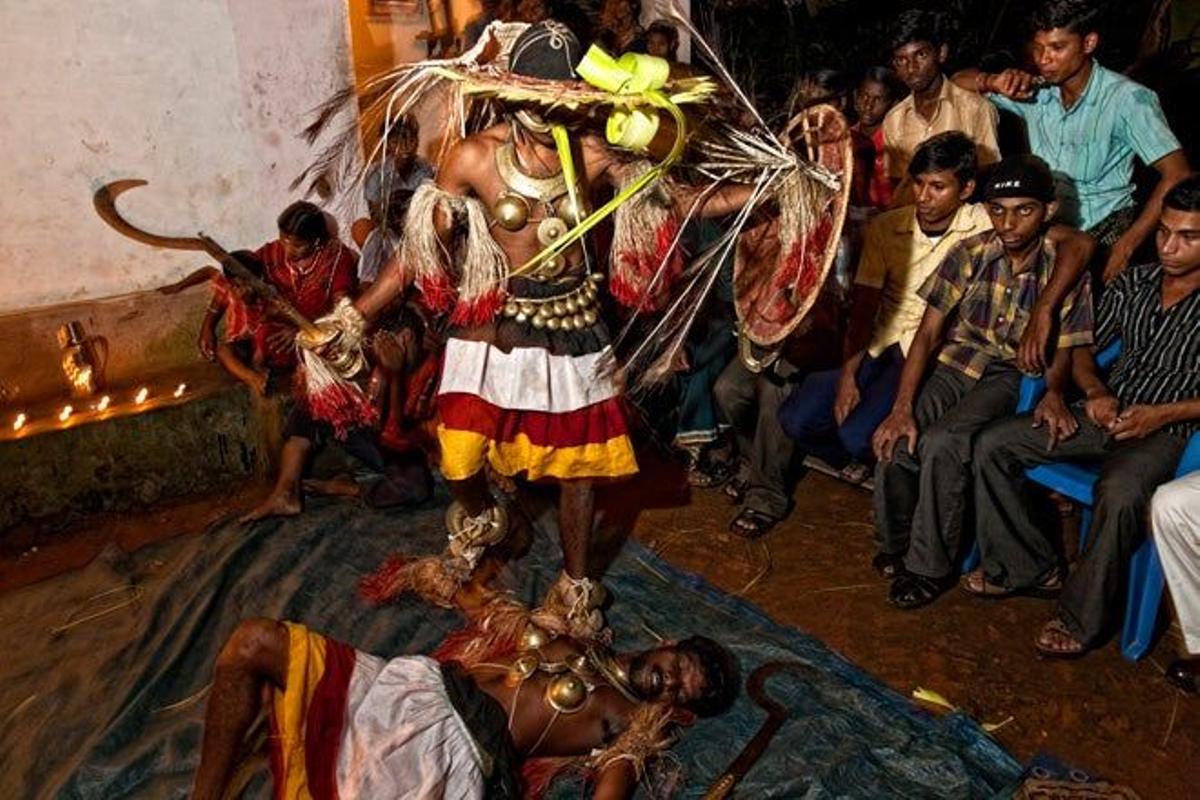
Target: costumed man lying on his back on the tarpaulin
345 724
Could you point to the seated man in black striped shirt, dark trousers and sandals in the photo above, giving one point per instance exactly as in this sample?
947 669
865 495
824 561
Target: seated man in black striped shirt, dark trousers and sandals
1136 420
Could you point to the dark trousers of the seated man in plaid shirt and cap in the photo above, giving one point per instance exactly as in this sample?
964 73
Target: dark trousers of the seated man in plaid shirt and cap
920 500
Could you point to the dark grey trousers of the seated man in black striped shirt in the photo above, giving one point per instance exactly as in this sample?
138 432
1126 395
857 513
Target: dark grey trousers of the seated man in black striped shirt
1016 554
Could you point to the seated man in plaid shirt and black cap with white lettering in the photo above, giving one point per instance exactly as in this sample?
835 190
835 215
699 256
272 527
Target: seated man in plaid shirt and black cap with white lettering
980 303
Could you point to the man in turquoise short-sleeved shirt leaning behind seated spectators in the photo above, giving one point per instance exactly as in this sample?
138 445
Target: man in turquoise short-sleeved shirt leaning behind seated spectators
1089 124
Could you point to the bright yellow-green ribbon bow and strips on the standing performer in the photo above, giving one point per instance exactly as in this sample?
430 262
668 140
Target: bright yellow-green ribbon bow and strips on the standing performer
638 81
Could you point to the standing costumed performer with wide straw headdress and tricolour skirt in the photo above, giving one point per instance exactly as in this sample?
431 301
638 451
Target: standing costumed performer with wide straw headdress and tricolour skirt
496 243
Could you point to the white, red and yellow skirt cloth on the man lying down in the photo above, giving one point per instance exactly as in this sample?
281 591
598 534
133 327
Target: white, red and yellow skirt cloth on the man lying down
351 725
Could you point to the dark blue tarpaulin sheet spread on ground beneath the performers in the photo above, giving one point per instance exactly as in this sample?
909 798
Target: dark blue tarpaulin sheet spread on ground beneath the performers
113 707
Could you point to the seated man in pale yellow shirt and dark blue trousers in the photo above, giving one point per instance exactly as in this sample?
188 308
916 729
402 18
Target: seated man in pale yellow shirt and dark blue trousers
833 414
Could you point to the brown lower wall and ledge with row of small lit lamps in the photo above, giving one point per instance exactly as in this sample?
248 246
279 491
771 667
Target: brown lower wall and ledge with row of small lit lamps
130 454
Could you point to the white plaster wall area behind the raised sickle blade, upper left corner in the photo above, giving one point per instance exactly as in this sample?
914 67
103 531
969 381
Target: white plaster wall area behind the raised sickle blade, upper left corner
205 99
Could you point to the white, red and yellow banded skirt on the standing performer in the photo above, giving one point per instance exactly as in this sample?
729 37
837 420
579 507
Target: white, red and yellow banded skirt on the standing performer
532 412
